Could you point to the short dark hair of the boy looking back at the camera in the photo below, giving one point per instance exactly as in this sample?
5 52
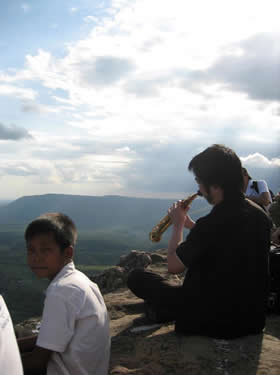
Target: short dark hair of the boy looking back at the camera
60 225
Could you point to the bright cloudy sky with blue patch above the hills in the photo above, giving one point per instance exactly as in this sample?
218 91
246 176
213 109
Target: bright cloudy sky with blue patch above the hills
115 97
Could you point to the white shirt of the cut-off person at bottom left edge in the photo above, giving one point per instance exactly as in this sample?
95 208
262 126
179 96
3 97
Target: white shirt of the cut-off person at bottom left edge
10 361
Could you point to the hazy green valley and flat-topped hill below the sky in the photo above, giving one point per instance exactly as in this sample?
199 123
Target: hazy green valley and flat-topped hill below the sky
108 228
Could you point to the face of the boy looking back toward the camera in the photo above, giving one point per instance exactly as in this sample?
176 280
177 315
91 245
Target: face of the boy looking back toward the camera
44 256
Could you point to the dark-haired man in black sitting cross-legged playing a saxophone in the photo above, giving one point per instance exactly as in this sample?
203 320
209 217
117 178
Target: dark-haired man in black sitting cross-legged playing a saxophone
225 254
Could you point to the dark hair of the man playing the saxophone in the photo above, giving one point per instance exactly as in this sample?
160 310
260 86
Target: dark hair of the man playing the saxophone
219 165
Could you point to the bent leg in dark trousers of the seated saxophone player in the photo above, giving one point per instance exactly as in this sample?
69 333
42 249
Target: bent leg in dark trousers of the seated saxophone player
162 299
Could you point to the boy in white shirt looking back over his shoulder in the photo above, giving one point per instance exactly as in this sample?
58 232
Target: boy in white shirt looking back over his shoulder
74 335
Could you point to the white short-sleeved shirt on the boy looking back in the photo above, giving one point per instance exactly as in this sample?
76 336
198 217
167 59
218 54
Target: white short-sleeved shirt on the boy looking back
75 325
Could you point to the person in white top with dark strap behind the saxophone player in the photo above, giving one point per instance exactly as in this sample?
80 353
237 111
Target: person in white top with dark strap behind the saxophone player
257 191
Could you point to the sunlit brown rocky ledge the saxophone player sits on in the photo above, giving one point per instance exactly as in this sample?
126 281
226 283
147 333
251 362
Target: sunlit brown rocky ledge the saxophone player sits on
139 347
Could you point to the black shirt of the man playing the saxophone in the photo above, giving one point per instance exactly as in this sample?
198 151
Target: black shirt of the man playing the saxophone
226 285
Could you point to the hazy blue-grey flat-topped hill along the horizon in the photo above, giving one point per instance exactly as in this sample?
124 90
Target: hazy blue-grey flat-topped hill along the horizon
96 212
